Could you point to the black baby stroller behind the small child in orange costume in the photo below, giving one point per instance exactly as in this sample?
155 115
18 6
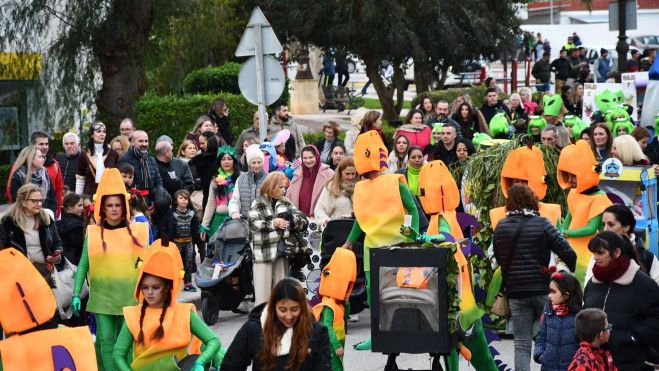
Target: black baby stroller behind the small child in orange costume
334 235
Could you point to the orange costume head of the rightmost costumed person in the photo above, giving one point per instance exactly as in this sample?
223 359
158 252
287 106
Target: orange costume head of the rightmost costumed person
577 159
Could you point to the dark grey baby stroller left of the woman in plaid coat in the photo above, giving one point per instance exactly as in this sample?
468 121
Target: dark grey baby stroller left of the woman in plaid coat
225 275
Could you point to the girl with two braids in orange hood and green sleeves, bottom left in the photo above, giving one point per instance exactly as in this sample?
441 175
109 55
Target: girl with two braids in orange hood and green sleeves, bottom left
159 329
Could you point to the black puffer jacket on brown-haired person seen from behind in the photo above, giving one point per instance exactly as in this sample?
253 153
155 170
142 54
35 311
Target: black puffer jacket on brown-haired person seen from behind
537 239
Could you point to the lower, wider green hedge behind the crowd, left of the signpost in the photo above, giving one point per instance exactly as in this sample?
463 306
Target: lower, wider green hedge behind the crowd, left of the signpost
176 115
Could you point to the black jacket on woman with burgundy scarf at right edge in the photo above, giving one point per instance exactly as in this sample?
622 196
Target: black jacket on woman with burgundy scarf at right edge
632 306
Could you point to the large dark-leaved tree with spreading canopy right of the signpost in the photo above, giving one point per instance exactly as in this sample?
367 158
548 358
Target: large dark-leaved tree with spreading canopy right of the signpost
435 33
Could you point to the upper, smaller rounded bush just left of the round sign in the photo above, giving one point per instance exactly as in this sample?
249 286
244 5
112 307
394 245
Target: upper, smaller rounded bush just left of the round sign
213 80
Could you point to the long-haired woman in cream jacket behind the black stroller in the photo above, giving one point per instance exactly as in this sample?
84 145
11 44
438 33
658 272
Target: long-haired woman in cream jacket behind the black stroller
335 200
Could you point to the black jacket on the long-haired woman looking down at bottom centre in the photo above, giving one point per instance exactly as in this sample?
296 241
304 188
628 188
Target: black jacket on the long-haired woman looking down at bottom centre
246 346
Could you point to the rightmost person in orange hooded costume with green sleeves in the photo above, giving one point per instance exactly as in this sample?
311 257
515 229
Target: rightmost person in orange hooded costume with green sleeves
578 169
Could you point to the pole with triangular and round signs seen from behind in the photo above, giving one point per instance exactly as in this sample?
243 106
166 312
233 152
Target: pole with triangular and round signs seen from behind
261 78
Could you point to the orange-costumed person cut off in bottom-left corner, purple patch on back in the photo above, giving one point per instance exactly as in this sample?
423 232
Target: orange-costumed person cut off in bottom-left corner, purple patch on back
34 342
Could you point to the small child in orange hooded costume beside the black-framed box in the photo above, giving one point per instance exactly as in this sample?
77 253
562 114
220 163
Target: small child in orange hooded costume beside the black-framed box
336 284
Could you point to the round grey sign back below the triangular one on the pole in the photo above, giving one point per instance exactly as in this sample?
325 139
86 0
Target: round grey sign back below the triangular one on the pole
274 80
